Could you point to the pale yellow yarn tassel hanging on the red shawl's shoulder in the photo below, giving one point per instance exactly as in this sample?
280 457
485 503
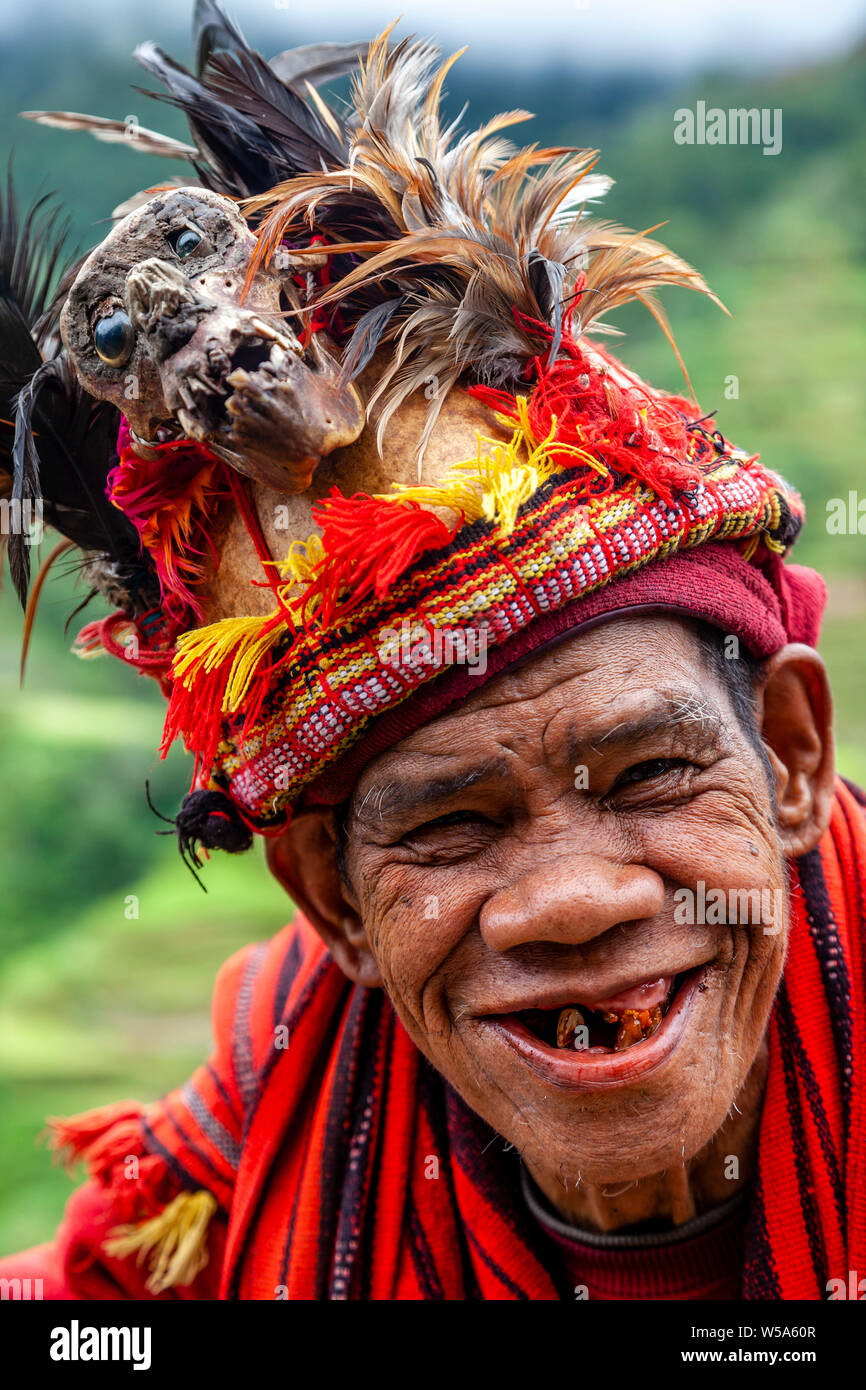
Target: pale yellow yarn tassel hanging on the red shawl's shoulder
174 1242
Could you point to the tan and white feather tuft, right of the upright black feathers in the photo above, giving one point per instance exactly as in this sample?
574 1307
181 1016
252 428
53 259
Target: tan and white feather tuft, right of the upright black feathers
473 254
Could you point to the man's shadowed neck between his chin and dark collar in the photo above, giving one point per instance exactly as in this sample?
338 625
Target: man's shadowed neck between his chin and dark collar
678 1195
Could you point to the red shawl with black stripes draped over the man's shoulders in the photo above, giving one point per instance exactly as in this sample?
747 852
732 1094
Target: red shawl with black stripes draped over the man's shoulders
316 1125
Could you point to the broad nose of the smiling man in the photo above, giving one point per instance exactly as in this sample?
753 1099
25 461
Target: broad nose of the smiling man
571 901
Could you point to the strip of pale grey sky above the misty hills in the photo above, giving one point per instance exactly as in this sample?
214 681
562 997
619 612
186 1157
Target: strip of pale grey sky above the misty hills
672 34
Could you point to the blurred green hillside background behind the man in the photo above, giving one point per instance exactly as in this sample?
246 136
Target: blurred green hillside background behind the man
108 946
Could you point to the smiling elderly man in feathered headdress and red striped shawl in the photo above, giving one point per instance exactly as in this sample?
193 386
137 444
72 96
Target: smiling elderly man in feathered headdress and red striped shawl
539 740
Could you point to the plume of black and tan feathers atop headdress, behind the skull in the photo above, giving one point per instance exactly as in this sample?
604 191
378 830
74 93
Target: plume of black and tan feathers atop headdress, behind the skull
461 251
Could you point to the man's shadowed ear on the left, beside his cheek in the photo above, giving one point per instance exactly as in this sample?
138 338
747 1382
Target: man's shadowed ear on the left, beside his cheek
305 862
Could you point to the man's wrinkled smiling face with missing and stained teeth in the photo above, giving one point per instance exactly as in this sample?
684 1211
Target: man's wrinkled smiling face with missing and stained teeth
528 854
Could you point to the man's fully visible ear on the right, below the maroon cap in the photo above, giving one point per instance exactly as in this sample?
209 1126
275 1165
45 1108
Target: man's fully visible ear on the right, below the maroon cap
796 717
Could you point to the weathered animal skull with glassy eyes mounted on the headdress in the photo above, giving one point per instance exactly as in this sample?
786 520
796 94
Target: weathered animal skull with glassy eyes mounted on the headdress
155 325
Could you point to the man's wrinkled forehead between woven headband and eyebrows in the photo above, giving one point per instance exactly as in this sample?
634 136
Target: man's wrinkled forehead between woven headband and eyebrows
601 687
